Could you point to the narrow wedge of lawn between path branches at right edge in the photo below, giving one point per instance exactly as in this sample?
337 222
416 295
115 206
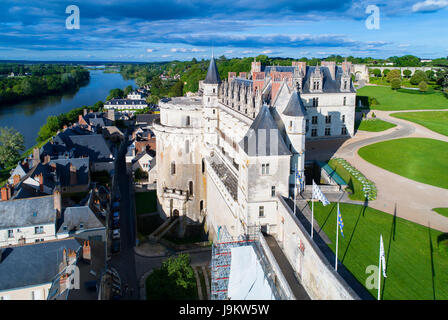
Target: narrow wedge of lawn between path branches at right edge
433 120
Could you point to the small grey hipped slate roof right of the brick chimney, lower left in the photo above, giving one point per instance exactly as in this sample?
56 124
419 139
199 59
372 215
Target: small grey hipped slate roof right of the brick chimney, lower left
73 217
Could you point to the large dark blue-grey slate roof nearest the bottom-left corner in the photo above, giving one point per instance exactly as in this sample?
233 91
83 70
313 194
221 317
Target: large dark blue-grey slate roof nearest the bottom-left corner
33 264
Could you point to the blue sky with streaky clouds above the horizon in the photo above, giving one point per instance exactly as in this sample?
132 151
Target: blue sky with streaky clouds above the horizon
156 30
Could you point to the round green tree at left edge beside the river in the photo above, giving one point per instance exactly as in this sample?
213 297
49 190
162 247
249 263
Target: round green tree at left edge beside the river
11 145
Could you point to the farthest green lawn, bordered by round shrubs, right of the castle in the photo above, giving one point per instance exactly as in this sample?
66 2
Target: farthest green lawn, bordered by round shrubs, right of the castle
404 99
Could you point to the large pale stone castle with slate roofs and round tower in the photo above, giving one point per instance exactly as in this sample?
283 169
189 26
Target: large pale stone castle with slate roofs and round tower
226 156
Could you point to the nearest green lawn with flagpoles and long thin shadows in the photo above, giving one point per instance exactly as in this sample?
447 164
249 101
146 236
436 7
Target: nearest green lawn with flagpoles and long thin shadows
416 256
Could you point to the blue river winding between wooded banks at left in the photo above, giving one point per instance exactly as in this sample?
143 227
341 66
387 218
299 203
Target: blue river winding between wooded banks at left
27 117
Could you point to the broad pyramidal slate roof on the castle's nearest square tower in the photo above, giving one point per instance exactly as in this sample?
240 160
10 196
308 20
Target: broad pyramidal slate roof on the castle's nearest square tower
263 137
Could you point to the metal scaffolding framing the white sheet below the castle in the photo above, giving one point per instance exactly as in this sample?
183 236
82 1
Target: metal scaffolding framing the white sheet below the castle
221 261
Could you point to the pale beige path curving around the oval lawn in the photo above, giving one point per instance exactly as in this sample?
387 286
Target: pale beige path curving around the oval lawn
398 195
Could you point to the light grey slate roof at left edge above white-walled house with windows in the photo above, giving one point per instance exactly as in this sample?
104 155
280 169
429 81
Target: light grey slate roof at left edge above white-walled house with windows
27 212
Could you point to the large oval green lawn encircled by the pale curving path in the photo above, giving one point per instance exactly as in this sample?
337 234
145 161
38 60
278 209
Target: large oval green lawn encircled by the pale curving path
420 159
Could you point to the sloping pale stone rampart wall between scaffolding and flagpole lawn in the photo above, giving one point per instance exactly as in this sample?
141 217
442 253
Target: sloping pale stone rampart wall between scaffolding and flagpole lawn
316 274
